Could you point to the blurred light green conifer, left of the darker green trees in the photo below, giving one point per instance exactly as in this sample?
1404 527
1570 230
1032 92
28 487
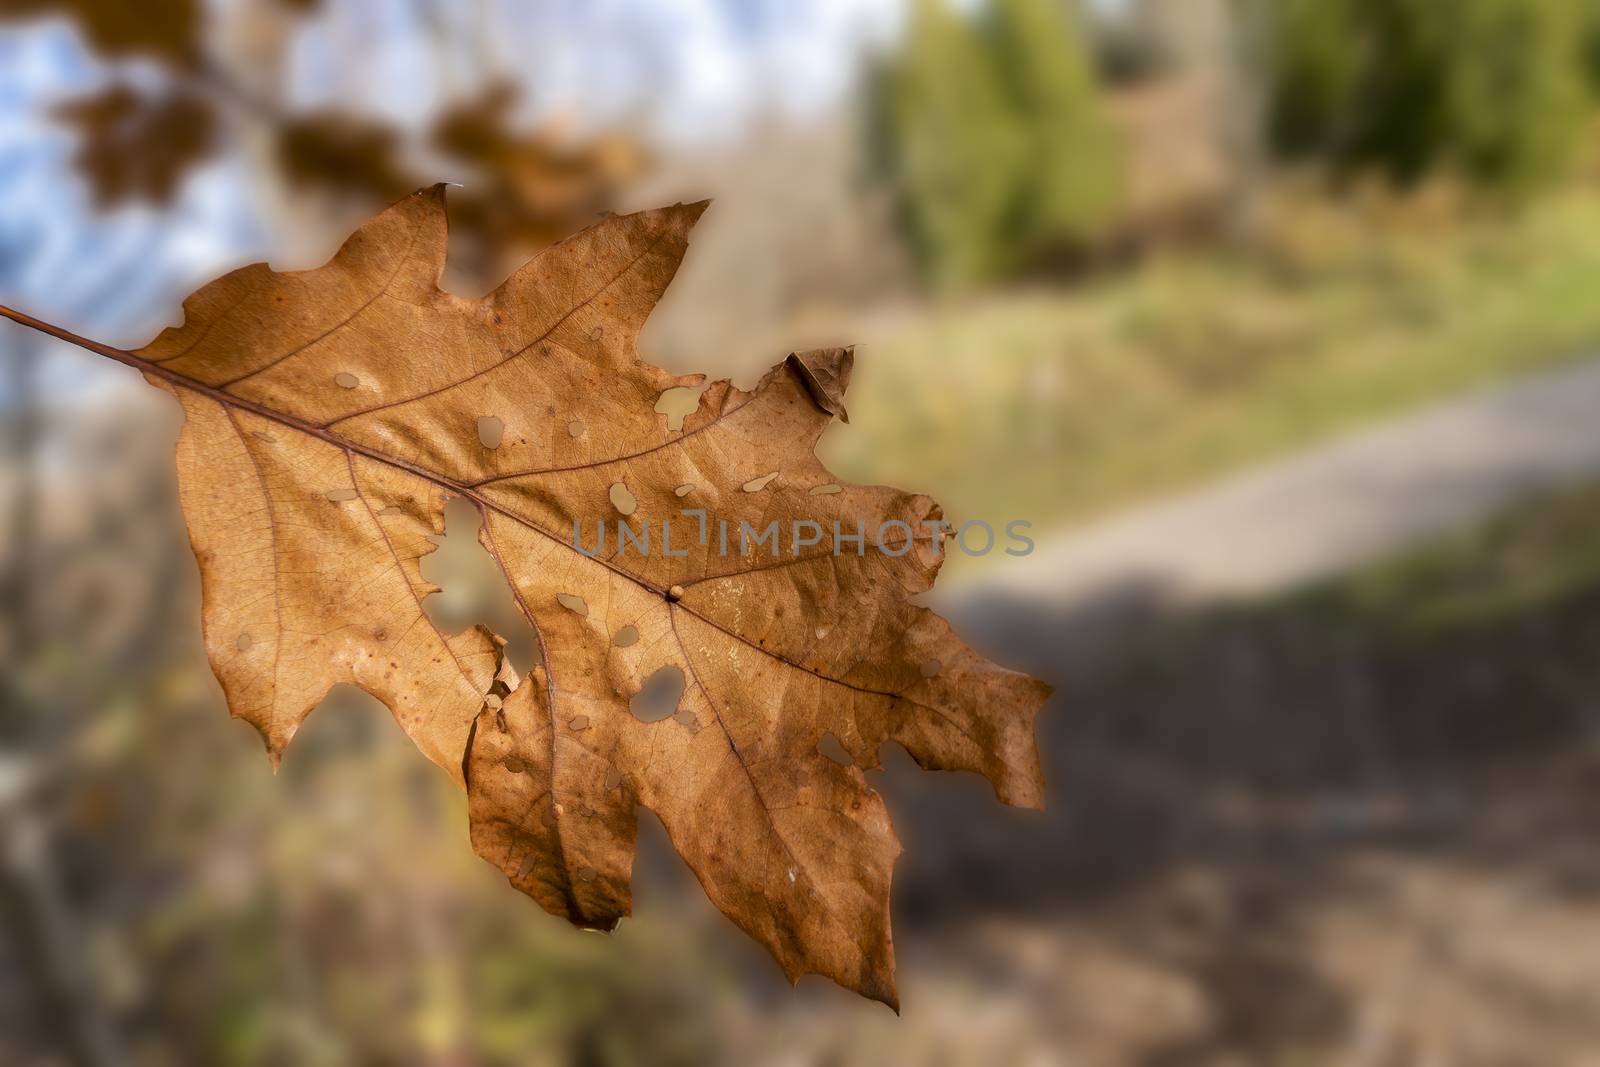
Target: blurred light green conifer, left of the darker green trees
991 132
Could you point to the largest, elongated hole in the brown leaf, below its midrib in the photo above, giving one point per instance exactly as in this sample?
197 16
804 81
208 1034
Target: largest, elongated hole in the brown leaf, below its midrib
473 586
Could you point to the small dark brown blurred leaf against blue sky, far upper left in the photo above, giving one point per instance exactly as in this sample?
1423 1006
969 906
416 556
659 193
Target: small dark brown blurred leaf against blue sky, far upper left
138 148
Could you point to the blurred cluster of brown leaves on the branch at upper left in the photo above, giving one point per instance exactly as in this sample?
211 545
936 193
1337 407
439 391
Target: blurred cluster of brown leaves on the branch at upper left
527 188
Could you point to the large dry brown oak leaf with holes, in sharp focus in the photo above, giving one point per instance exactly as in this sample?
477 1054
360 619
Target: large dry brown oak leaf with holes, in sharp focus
330 414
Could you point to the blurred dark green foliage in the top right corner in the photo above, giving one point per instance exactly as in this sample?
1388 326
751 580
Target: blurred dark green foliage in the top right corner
1495 90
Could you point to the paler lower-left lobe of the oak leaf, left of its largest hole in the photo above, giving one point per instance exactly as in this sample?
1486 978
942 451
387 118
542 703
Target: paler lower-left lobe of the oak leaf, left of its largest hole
303 594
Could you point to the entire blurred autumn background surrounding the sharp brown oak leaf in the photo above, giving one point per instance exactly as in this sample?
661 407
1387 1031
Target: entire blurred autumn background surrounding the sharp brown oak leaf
1276 318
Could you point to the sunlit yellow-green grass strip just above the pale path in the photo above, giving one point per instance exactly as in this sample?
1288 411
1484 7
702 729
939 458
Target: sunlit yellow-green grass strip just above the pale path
1058 406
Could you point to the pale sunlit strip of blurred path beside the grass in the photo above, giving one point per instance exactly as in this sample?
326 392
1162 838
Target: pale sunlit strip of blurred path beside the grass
1327 510
